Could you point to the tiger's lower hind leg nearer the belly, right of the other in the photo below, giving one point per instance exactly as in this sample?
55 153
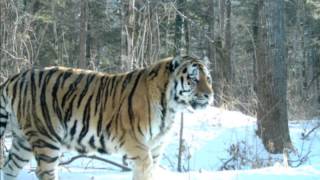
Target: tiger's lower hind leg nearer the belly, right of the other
47 158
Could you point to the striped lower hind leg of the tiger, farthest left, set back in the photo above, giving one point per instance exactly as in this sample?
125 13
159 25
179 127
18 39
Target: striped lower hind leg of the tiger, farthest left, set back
19 155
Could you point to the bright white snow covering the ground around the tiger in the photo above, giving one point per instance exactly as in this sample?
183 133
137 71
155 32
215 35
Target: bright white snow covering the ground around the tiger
218 144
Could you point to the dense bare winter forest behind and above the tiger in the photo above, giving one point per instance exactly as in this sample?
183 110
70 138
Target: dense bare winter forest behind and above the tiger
235 36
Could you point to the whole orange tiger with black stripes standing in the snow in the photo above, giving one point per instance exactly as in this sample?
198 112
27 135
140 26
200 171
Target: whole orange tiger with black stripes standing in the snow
56 108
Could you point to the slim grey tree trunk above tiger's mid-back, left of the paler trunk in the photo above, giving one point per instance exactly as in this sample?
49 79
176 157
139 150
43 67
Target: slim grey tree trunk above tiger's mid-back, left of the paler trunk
83 33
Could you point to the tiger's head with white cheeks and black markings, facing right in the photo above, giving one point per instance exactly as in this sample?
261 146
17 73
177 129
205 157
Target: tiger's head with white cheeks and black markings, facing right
192 82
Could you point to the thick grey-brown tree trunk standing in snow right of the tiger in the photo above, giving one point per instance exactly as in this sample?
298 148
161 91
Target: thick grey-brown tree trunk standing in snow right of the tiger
272 78
